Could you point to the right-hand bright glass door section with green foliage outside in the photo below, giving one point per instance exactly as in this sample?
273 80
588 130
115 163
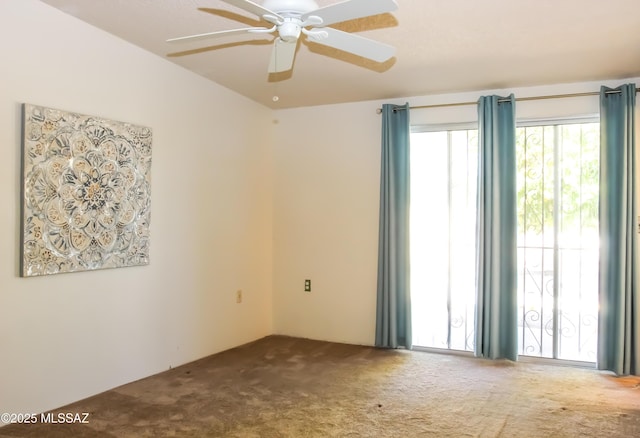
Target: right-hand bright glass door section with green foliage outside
558 240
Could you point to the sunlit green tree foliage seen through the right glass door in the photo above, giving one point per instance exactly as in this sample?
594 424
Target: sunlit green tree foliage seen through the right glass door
559 161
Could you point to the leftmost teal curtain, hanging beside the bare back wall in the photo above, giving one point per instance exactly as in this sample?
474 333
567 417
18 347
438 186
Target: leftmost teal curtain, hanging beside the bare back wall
393 313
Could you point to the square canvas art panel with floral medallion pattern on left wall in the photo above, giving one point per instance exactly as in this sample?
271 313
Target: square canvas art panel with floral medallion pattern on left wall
86 192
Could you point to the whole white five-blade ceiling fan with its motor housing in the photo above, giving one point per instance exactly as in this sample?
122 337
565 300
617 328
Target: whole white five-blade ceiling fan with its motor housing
292 19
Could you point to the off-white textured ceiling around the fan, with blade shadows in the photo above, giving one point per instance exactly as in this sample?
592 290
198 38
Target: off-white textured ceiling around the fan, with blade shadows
442 46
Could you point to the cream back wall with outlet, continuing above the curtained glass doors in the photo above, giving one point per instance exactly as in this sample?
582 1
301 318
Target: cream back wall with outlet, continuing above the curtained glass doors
326 185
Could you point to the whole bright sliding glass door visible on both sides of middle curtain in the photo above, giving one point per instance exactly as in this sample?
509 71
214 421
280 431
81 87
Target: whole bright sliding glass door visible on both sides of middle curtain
557 190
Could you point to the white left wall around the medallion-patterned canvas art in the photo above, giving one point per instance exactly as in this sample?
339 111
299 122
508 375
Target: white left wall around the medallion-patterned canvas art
68 336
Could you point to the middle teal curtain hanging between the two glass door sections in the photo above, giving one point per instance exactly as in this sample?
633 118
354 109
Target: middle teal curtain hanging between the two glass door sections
496 269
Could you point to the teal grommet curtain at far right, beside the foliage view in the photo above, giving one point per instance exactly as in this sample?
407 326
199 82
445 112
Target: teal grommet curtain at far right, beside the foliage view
618 321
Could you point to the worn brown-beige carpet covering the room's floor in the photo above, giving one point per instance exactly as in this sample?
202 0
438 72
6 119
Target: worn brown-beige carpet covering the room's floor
288 387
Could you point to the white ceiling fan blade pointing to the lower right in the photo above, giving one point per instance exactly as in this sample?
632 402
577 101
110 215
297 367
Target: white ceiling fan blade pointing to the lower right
351 43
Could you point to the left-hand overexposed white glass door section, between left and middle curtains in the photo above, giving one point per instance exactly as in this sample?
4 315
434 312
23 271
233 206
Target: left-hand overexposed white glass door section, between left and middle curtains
443 187
